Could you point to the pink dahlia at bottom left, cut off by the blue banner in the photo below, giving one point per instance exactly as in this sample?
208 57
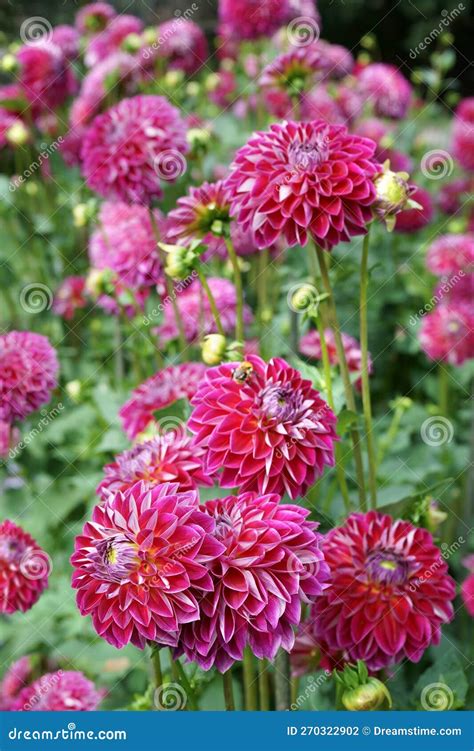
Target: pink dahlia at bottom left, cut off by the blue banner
63 691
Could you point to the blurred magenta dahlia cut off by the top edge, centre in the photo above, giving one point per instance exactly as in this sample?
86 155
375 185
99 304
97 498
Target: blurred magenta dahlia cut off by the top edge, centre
251 19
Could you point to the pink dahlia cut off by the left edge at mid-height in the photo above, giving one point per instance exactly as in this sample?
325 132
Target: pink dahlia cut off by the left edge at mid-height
28 373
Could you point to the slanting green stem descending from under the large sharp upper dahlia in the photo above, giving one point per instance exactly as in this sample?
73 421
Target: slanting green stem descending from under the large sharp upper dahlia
341 356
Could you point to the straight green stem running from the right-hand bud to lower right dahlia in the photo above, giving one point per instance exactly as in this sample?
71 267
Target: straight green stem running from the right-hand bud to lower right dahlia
366 403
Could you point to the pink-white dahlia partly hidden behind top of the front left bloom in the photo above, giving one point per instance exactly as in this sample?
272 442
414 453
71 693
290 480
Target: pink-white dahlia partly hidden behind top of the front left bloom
169 457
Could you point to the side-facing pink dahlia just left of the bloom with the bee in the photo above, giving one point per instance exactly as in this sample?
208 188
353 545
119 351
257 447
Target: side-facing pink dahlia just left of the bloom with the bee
160 391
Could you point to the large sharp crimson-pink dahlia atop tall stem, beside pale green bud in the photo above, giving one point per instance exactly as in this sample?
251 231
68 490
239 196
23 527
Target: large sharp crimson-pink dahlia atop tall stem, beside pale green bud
304 179
